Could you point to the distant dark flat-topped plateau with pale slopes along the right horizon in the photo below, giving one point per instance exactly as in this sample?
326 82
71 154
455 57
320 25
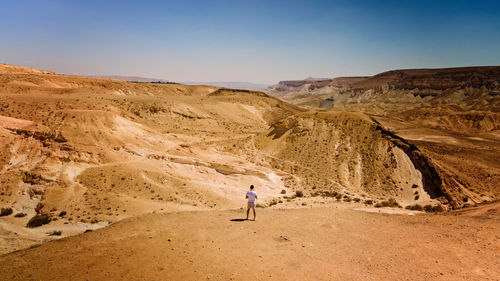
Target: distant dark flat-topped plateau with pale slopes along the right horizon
473 87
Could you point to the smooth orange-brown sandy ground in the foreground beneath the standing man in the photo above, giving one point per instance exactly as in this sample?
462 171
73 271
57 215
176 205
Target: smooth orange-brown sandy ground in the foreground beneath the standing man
334 243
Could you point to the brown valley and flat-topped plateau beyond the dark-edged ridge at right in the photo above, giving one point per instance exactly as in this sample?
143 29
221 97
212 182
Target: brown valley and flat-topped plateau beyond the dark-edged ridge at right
452 116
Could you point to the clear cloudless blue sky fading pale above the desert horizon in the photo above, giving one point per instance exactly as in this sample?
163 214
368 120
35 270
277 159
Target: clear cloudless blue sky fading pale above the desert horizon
255 41
